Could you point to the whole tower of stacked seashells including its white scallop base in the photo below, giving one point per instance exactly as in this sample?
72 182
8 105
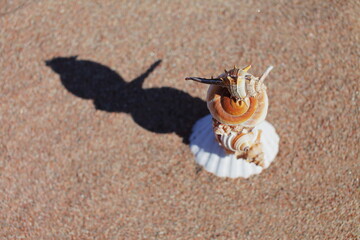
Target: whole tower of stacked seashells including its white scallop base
238 104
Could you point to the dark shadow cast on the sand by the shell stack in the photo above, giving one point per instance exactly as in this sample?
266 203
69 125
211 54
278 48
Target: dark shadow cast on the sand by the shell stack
159 110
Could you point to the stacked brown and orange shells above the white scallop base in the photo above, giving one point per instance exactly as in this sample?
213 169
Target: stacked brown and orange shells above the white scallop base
238 103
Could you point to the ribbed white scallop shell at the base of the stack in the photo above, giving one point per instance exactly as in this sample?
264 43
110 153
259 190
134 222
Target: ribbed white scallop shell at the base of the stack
213 158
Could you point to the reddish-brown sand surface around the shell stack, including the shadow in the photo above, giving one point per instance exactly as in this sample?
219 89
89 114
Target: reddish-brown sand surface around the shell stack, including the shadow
95 116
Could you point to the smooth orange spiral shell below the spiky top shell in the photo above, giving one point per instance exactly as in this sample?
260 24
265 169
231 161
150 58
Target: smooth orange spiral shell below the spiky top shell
226 110
